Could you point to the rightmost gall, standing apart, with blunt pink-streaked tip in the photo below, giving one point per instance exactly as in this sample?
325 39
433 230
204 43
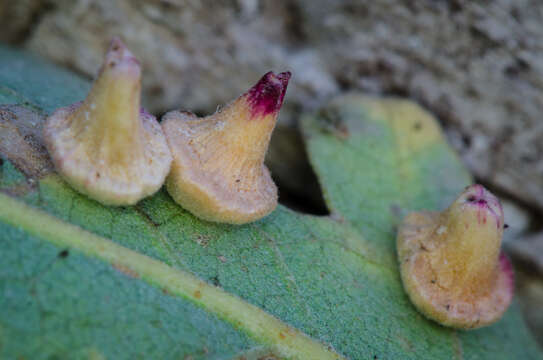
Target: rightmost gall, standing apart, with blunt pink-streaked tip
461 279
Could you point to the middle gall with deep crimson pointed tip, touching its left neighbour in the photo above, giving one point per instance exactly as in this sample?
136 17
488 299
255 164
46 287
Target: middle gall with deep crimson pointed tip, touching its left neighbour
218 170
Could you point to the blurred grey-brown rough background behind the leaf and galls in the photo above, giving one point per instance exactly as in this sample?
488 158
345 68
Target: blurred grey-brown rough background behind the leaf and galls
476 65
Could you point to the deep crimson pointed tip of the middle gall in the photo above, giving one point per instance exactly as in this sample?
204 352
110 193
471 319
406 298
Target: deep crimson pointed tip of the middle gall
266 97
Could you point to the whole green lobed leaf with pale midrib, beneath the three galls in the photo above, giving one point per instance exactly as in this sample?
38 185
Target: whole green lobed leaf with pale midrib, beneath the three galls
81 280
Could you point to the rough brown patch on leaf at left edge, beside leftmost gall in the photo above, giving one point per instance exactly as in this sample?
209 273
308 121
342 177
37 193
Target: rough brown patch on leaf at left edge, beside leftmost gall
21 140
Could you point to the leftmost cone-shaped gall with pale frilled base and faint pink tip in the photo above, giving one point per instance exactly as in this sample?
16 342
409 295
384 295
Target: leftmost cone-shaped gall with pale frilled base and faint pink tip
106 147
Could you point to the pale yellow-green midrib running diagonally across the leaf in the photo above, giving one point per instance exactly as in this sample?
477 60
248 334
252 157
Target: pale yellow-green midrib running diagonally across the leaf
289 343
